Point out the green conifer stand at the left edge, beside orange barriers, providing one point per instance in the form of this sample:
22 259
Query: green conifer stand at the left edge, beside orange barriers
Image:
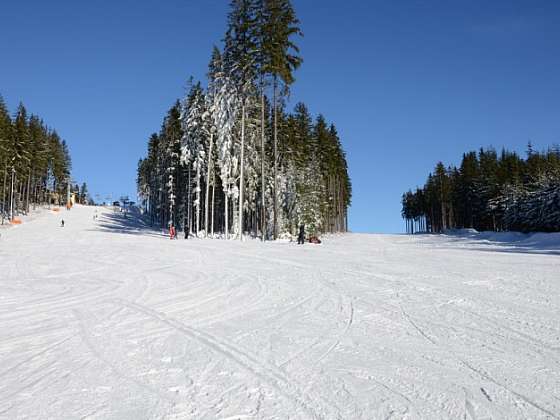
34 163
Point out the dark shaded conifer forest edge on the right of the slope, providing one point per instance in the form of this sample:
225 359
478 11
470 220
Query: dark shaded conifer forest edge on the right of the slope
489 192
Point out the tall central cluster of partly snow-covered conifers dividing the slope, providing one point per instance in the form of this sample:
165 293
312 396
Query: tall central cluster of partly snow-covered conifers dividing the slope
229 159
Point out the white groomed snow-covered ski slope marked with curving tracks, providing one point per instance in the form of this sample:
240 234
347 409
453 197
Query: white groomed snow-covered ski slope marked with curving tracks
107 319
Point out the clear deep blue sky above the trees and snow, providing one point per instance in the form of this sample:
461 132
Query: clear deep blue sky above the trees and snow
407 83
